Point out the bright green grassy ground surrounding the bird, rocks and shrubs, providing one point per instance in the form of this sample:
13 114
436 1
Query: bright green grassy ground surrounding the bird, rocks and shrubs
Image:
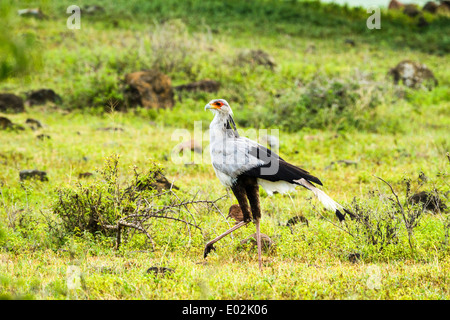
390 131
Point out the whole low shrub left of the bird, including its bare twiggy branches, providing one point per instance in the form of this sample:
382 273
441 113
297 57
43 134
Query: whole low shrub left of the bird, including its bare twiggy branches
137 211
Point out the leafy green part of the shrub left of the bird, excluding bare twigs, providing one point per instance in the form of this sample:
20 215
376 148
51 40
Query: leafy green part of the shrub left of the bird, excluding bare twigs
97 207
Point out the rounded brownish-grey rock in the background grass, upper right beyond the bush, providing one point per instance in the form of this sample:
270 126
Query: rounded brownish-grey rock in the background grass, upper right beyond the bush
413 75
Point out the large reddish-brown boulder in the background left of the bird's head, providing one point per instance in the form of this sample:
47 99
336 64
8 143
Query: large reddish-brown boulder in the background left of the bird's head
149 89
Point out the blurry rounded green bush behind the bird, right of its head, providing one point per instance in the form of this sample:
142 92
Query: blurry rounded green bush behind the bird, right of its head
334 104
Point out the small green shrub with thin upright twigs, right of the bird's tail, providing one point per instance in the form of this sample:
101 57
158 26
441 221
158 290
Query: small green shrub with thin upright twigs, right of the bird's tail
384 222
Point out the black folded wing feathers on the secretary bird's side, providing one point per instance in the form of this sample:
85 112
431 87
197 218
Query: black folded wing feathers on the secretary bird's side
286 171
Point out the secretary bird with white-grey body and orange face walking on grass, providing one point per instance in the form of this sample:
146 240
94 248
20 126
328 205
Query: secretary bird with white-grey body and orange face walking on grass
243 164
